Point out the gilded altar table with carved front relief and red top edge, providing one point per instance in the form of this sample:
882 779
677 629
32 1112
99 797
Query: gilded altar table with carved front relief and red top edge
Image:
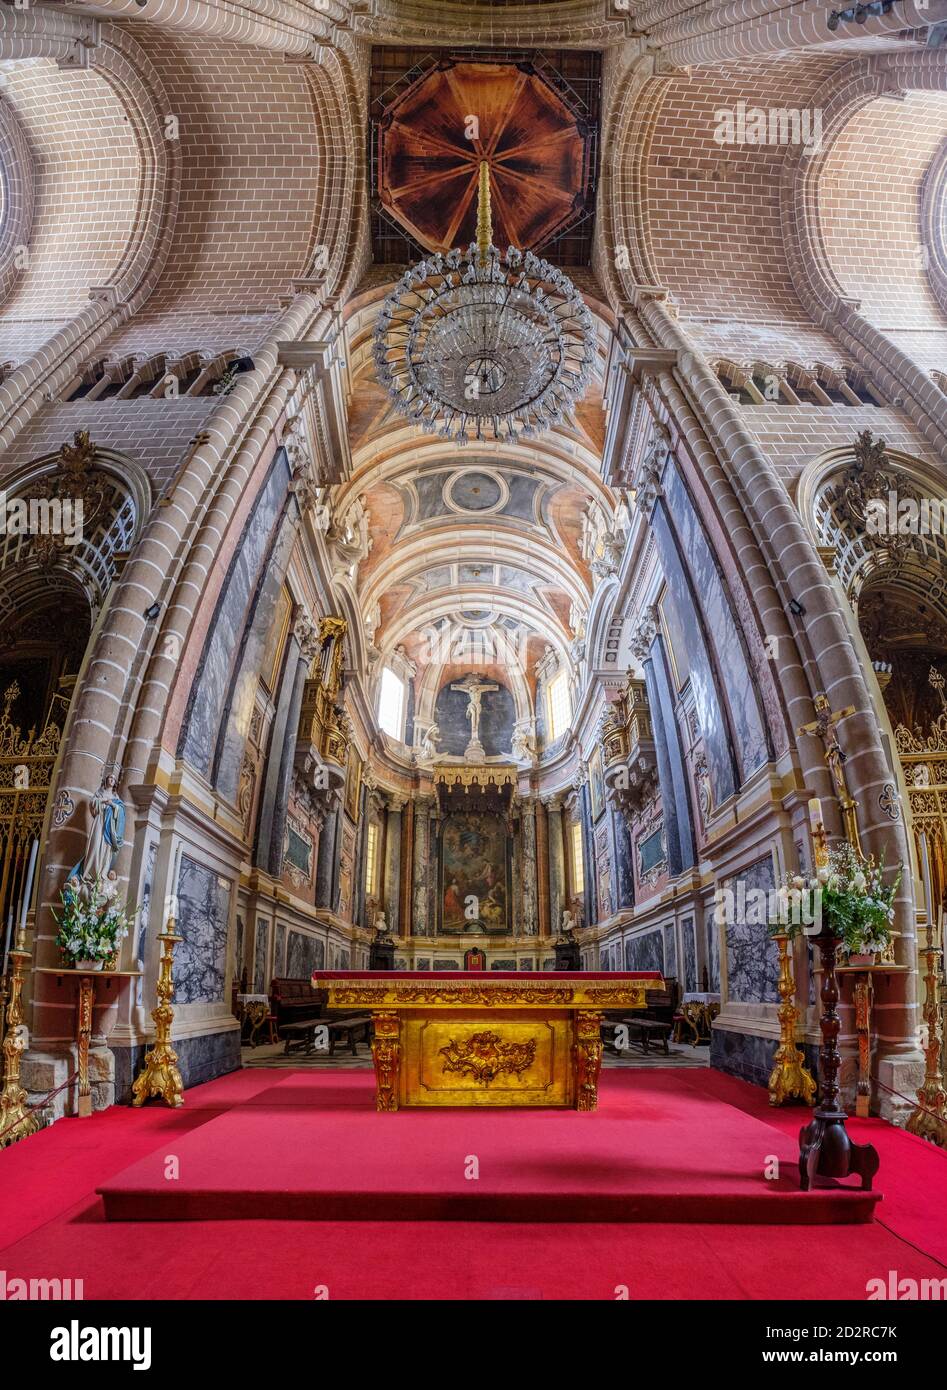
494 1039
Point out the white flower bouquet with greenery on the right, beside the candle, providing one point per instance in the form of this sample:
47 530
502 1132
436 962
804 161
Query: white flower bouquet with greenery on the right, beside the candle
848 897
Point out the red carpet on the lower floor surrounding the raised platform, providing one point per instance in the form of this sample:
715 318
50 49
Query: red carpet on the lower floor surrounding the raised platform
52 1225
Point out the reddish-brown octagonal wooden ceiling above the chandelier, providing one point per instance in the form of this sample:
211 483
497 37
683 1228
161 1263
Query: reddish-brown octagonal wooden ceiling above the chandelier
435 137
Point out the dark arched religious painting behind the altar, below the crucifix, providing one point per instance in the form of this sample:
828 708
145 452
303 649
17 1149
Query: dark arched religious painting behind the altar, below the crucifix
475 875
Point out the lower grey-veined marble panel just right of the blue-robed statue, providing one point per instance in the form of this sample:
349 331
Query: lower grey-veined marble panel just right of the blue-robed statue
204 918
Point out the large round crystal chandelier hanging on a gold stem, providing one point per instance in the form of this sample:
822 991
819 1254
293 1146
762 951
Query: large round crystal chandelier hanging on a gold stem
475 345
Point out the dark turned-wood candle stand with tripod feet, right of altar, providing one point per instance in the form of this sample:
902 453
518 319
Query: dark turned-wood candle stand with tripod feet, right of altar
825 1149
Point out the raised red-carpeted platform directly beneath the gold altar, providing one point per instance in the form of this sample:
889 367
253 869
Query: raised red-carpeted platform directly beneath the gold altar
311 1147
